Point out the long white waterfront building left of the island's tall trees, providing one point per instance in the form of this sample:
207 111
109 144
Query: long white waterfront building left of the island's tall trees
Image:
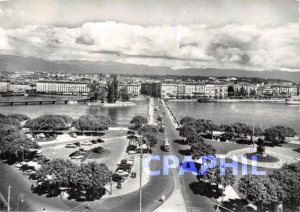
62 87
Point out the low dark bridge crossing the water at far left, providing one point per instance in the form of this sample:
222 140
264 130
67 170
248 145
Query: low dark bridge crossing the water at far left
39 102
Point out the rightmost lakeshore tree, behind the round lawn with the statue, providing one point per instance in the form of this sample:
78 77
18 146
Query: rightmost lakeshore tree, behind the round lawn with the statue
278 134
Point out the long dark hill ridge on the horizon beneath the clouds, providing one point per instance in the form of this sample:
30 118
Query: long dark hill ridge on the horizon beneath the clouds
16 63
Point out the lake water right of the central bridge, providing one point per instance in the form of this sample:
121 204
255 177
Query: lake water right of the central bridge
261 114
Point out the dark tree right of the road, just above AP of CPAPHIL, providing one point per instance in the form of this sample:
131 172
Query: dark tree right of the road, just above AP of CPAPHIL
202 149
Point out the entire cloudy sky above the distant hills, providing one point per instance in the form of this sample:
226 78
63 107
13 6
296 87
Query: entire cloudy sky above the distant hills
235 34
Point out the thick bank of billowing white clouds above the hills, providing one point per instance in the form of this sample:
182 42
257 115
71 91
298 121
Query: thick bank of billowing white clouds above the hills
191 46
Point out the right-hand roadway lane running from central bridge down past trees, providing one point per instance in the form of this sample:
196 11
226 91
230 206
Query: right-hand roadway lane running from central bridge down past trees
194 201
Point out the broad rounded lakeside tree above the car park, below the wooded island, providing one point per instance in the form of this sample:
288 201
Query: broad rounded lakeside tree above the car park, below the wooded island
91 123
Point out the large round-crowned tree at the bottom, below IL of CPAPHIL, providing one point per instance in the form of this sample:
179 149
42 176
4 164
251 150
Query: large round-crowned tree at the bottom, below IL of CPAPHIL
260 190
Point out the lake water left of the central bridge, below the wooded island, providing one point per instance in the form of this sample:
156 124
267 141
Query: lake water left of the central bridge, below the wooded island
118 115
